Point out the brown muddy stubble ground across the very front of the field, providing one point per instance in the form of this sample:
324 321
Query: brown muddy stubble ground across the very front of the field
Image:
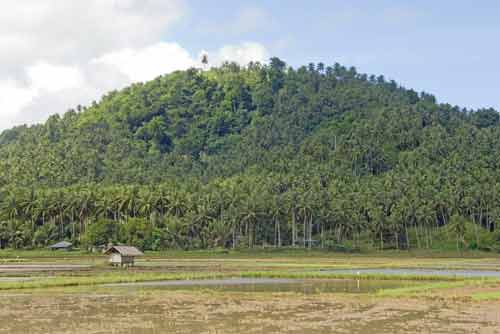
157 311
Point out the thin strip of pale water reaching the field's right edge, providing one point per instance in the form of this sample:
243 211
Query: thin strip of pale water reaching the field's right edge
418 272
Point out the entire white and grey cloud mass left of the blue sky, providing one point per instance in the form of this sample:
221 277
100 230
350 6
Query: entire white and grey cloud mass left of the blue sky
57 54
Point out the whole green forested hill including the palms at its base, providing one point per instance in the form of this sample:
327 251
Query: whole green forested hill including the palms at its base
256 155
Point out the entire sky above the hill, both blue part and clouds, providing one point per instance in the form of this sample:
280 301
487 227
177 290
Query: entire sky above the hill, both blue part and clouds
57 54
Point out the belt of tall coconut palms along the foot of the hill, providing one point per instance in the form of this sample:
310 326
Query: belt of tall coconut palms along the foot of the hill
422 210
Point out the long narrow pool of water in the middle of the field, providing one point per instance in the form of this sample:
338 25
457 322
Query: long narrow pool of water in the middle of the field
272 285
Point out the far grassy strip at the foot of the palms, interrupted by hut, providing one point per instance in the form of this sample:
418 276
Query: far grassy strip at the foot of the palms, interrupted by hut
259 260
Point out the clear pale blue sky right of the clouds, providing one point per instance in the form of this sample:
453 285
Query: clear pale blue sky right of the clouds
449 48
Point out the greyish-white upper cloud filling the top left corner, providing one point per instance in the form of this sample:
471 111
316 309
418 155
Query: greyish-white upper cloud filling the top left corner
58 31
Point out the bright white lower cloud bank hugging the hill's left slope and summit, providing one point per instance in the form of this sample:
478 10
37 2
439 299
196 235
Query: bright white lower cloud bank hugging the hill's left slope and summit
53 89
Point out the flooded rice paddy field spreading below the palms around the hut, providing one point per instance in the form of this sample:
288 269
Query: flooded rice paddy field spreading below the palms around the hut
264 291
